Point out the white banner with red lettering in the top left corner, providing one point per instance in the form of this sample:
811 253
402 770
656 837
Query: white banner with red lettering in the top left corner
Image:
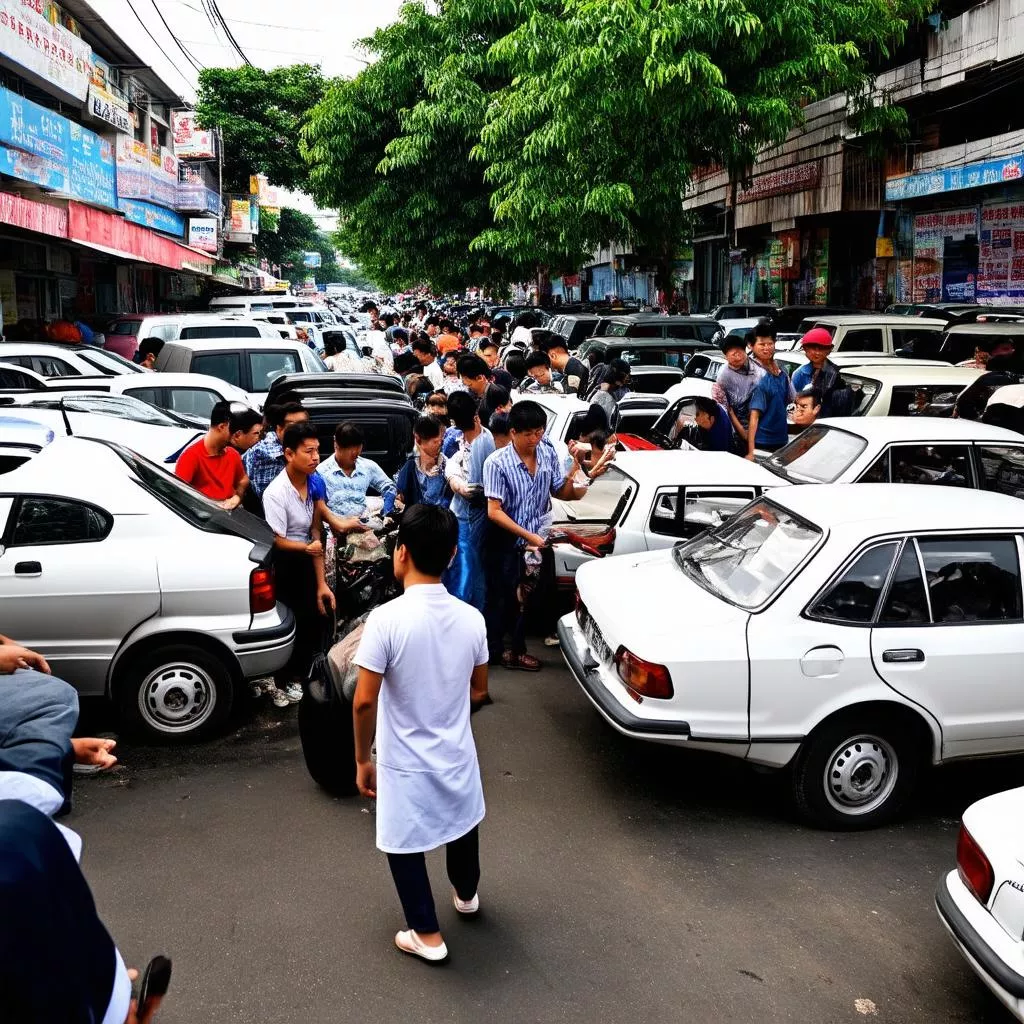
29 42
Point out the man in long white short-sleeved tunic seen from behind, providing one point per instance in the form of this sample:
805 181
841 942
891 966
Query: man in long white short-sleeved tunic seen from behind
423 669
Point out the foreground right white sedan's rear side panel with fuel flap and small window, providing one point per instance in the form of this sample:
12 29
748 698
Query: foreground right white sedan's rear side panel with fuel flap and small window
808 660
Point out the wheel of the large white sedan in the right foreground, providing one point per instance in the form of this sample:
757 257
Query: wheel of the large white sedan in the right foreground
857 772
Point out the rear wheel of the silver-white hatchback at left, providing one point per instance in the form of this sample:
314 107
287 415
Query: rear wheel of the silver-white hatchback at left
177 693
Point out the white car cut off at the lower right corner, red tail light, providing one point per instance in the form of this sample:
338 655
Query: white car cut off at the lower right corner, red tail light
982 904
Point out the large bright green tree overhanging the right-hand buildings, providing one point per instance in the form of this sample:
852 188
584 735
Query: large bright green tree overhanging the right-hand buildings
615 104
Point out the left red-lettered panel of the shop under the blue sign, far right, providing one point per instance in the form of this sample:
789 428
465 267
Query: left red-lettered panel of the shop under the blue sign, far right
946 255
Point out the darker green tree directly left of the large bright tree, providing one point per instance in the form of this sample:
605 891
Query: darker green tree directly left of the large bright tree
391 150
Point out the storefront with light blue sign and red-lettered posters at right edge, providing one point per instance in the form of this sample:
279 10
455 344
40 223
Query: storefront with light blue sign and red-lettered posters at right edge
959 234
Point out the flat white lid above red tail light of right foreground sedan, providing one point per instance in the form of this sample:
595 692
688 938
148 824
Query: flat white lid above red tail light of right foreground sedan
673 605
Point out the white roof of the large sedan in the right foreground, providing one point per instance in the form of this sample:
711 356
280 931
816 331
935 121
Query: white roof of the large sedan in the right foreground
879 508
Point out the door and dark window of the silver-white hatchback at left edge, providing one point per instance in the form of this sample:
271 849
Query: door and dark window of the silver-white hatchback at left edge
59 594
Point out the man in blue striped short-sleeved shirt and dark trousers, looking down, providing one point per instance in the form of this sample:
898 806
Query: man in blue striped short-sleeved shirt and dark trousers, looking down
520 482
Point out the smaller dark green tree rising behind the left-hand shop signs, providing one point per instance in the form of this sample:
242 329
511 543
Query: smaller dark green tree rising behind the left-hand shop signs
261 114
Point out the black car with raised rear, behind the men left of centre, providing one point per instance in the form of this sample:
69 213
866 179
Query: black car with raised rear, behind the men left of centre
377 404
